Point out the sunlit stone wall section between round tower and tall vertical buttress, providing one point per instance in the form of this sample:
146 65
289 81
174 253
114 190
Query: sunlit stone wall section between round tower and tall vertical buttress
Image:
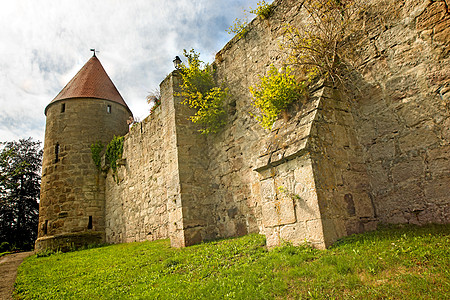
136 197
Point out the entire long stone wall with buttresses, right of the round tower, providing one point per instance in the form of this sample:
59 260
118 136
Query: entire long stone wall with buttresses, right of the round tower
337 165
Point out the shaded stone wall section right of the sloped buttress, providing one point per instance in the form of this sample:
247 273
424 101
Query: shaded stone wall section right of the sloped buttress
402 115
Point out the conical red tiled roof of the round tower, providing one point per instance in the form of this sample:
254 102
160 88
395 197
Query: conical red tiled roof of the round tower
91 82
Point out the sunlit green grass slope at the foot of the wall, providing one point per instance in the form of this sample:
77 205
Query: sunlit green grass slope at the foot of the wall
403 262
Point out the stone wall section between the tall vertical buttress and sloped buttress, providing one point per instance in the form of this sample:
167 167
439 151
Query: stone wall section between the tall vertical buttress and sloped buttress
234 152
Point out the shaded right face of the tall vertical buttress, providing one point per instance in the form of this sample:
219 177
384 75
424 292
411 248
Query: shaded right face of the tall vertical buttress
197 206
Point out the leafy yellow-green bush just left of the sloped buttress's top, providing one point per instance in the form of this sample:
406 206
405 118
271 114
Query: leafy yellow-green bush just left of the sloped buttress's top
276 92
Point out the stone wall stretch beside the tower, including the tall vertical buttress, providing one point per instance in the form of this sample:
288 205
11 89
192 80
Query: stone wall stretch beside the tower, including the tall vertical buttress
160 189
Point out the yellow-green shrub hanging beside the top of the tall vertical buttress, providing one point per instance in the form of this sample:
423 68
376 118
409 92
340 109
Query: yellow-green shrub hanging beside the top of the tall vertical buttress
201 93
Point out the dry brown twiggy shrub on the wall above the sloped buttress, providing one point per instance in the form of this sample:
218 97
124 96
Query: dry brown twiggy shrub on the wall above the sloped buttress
322 45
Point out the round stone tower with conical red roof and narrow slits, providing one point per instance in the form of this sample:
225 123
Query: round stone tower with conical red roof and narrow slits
88 109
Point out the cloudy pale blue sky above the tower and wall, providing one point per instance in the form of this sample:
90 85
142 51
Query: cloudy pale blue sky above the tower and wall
43 44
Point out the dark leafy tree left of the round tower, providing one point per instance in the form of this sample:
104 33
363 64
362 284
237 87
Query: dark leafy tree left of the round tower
20 166
